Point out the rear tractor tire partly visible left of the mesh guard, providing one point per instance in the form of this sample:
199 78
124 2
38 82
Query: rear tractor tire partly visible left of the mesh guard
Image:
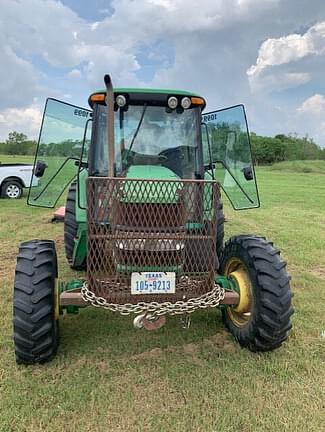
71 226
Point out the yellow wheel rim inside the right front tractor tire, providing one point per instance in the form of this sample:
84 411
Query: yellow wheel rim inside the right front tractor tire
241 314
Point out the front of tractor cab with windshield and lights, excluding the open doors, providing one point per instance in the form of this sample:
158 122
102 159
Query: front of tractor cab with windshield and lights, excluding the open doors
154 136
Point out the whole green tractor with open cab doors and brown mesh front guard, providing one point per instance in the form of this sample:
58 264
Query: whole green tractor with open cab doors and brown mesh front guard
144 219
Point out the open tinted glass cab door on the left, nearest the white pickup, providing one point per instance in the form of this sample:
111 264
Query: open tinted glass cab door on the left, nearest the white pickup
62 151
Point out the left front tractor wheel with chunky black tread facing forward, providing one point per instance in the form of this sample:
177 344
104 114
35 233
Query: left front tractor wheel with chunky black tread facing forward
36 303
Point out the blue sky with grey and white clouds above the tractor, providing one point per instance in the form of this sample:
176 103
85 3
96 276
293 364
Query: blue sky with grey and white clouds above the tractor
267 54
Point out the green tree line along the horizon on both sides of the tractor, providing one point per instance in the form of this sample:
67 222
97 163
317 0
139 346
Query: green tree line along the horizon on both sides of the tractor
266 150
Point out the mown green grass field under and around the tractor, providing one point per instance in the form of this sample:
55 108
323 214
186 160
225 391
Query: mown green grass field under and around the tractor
110 377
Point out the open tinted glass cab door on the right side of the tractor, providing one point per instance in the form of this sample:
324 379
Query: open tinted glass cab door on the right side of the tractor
228 157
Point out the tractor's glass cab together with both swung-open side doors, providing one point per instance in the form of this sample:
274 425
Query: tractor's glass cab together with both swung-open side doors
157 134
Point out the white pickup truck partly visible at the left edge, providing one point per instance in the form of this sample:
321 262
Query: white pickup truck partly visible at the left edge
13 178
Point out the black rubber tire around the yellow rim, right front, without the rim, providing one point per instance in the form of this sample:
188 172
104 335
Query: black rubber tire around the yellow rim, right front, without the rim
270 324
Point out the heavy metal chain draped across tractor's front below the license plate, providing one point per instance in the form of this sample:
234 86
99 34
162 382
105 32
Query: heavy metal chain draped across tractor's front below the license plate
209 299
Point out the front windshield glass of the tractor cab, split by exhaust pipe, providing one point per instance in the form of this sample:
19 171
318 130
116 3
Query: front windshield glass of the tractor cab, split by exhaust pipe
151 136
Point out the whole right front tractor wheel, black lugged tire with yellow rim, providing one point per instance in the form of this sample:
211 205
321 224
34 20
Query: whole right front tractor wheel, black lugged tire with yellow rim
261 320
